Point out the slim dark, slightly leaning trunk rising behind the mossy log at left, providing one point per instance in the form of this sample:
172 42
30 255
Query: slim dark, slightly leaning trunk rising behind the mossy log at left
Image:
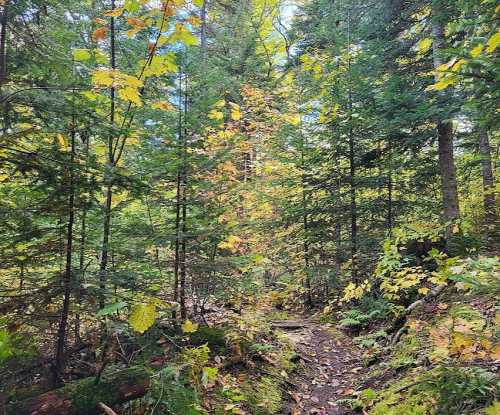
61 334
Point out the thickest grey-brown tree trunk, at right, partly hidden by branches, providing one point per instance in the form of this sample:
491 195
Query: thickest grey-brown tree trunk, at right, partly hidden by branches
449 190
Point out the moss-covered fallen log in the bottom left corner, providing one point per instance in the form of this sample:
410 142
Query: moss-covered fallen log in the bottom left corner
84 397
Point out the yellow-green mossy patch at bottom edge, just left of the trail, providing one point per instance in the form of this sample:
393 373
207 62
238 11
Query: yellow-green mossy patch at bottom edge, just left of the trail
263 396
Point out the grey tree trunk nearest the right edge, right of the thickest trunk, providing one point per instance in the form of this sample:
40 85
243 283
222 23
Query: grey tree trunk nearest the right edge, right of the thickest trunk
490 215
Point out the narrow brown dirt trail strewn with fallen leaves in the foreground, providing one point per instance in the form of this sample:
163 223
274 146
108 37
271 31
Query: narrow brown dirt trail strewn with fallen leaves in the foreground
330 368
